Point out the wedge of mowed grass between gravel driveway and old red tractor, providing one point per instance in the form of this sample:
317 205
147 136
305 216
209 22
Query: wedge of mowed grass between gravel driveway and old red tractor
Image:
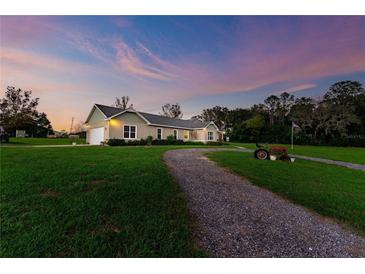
329 190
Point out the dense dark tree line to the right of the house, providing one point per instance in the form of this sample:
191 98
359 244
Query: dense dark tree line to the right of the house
337 119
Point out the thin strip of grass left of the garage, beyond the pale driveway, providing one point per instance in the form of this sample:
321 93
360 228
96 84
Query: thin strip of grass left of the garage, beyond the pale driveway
42 141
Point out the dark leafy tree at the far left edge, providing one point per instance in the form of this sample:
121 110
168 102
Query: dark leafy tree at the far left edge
17 109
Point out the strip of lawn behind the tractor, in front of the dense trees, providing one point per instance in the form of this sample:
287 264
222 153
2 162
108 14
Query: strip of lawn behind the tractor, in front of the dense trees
348 154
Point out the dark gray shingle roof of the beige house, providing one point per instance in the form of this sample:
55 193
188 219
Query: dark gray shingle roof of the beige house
157 119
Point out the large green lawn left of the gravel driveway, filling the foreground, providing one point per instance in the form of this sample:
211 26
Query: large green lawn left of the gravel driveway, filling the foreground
92 202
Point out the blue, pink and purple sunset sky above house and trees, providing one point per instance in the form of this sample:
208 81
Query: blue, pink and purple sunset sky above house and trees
72 62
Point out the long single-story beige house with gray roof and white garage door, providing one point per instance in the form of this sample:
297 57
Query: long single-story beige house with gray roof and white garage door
105 122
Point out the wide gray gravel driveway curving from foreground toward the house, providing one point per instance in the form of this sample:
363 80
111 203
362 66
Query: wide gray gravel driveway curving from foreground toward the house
237 219
